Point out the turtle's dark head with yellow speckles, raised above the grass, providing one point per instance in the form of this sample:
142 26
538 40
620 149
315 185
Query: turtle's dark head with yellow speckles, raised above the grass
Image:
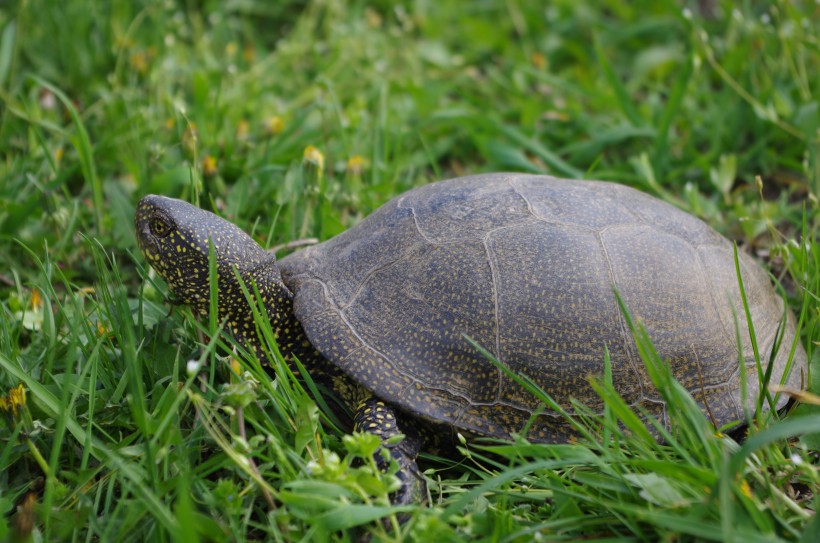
175 237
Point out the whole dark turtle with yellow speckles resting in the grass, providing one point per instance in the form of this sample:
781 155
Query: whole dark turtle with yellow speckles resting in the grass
388 313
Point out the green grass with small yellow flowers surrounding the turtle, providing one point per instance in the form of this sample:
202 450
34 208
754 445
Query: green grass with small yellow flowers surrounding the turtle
131 428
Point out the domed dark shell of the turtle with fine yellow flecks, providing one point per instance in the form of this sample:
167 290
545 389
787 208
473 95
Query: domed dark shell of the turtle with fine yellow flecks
527 266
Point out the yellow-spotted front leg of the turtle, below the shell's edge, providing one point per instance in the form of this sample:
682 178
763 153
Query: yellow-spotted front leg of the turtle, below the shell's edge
376 417
